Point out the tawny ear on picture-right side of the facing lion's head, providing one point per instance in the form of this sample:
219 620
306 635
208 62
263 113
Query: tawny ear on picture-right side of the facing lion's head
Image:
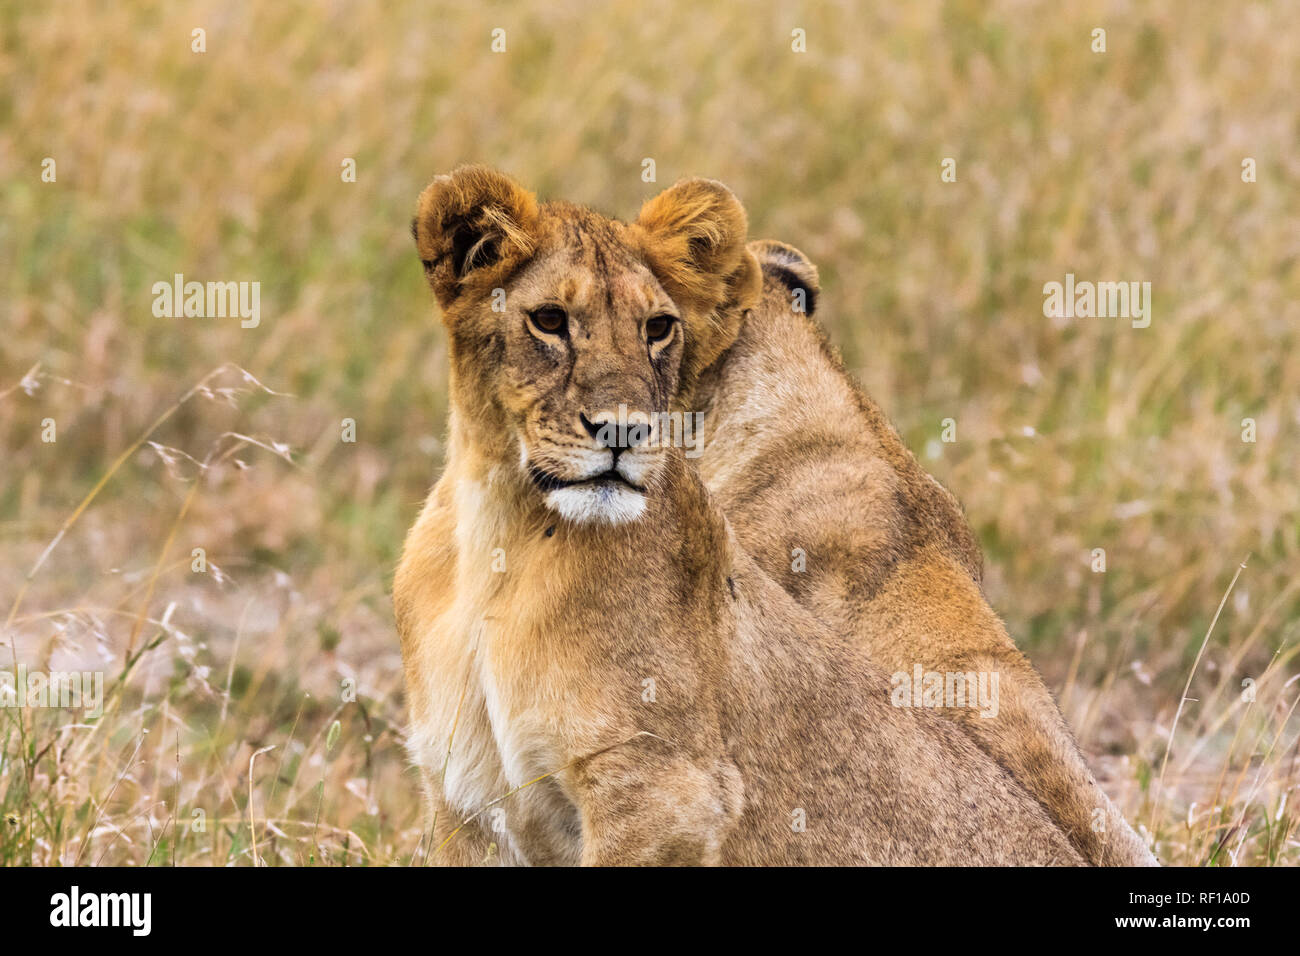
695 243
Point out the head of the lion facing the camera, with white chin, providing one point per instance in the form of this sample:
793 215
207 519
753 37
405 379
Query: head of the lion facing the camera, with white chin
574 335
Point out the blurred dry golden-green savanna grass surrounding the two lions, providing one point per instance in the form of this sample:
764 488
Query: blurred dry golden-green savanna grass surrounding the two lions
254 710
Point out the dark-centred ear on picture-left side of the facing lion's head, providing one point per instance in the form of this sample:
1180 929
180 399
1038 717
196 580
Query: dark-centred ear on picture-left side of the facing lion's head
473 228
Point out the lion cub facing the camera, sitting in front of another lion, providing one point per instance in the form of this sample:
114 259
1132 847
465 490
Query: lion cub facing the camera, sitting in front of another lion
597 672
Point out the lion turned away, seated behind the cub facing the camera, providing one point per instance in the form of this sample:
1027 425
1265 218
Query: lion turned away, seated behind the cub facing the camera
800 458
